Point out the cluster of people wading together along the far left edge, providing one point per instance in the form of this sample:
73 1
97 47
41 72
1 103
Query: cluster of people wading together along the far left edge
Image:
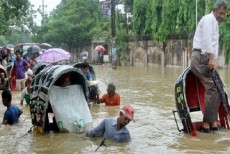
20 66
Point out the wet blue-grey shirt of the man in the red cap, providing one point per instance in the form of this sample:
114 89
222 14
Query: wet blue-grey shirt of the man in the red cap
107 129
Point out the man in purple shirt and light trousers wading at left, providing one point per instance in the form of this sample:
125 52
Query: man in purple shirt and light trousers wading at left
20 66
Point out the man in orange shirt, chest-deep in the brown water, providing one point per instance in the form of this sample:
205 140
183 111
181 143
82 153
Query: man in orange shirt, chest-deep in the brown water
111 98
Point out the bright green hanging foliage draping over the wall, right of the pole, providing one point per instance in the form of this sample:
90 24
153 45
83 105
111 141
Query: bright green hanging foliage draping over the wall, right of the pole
169 18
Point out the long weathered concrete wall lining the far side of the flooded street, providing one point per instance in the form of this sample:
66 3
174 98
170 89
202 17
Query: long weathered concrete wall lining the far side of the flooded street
148 53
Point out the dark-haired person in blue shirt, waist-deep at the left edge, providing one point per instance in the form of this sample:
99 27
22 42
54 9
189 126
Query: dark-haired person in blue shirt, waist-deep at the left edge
12 113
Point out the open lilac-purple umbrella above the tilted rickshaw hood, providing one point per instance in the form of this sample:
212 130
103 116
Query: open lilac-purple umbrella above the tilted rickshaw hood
53 55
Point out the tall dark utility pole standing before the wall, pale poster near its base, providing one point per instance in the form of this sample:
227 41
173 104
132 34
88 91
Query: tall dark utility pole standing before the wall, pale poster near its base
113 27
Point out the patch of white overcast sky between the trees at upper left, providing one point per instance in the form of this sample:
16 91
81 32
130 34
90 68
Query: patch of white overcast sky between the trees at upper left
49 6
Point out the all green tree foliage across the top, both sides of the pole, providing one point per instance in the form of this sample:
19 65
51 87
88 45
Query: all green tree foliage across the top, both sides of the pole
76 22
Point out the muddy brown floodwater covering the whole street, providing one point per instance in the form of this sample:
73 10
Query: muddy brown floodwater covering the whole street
151 92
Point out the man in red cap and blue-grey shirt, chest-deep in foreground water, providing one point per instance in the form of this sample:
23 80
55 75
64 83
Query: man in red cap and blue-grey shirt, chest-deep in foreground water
115 128
